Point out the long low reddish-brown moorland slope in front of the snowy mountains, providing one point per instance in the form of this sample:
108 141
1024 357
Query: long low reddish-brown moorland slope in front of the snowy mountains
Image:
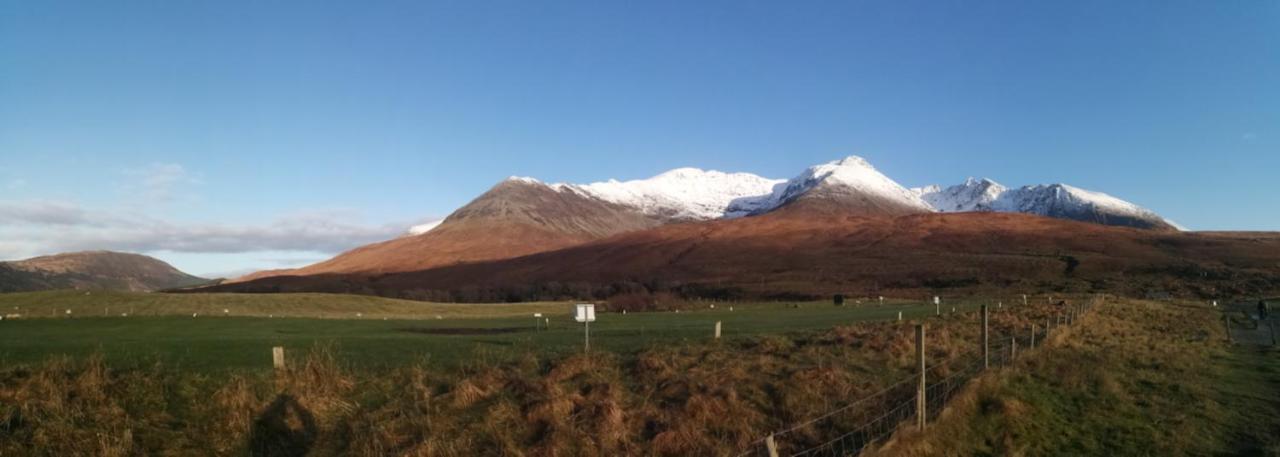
813 253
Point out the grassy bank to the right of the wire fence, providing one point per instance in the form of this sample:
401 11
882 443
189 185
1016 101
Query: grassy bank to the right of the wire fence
1137 380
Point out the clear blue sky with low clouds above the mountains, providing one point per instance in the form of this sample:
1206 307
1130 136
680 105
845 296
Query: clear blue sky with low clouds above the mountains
227 136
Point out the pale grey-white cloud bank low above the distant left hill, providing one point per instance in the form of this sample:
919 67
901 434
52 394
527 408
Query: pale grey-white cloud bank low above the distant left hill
139 223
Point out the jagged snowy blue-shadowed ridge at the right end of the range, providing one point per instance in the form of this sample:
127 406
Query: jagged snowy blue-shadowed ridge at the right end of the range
1060 202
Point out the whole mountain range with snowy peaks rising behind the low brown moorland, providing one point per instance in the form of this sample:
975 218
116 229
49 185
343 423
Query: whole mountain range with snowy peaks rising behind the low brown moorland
523 216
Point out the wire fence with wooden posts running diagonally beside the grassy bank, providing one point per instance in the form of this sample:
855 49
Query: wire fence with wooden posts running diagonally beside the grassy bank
849 429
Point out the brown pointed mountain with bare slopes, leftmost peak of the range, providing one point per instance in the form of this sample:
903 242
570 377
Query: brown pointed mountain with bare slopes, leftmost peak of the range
513 220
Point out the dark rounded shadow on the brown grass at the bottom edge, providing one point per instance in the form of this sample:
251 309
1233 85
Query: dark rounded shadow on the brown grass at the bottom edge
284 429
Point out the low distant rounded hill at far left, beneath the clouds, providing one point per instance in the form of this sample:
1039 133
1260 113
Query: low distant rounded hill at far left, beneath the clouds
93 271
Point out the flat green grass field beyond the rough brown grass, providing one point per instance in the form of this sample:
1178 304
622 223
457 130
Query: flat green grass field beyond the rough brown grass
388 332
